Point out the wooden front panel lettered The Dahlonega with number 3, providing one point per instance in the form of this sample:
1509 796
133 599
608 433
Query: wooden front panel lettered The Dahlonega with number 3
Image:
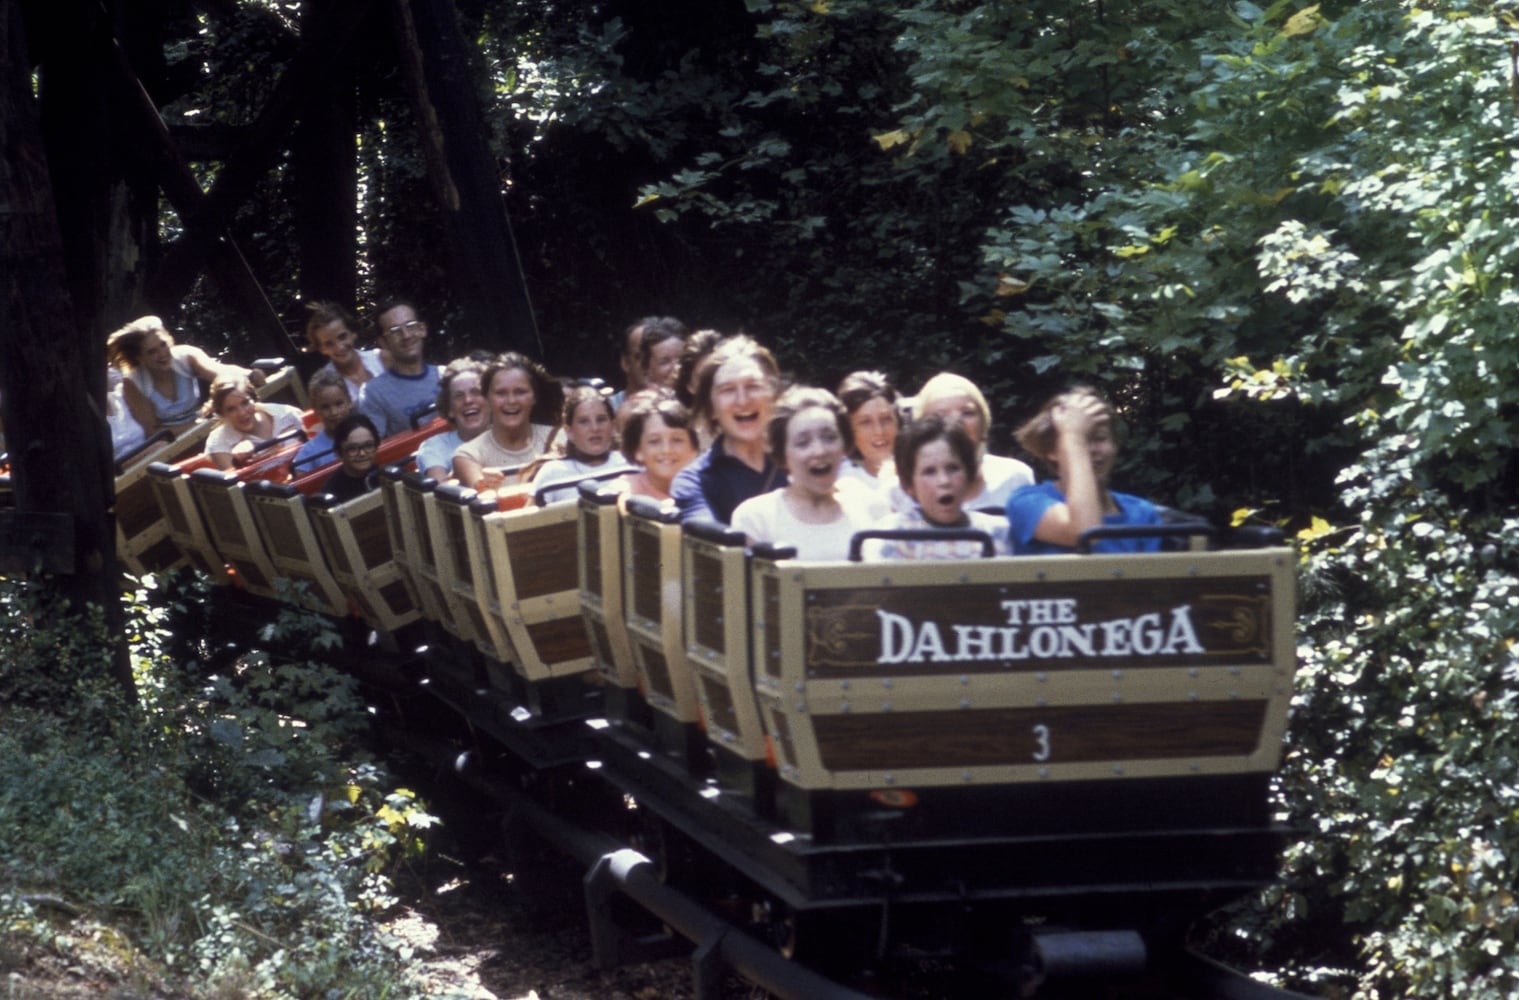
1025 671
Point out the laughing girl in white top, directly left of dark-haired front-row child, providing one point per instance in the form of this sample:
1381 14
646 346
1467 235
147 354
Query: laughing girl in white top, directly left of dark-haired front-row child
816 513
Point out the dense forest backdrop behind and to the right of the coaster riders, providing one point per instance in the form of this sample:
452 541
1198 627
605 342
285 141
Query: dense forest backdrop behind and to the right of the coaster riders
1281 236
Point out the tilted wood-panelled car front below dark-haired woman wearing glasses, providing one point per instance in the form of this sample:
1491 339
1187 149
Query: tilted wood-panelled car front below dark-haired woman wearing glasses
358 545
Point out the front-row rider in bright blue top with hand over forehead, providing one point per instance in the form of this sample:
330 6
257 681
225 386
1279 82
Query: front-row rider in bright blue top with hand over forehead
1075 434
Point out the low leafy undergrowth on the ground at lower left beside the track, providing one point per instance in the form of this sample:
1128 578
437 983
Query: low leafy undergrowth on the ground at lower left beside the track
235 818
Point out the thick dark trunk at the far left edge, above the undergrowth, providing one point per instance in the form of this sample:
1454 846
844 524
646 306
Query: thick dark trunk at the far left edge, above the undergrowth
54 375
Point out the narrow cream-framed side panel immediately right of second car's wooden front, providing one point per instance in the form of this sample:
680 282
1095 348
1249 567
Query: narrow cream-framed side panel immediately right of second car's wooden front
601 554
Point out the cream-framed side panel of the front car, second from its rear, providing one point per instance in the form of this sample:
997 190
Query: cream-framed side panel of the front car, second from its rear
652 580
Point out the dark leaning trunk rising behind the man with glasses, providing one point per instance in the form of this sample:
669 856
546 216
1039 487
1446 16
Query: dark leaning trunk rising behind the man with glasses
435 60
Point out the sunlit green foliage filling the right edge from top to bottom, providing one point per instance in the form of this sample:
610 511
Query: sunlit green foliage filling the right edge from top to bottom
1316 236
